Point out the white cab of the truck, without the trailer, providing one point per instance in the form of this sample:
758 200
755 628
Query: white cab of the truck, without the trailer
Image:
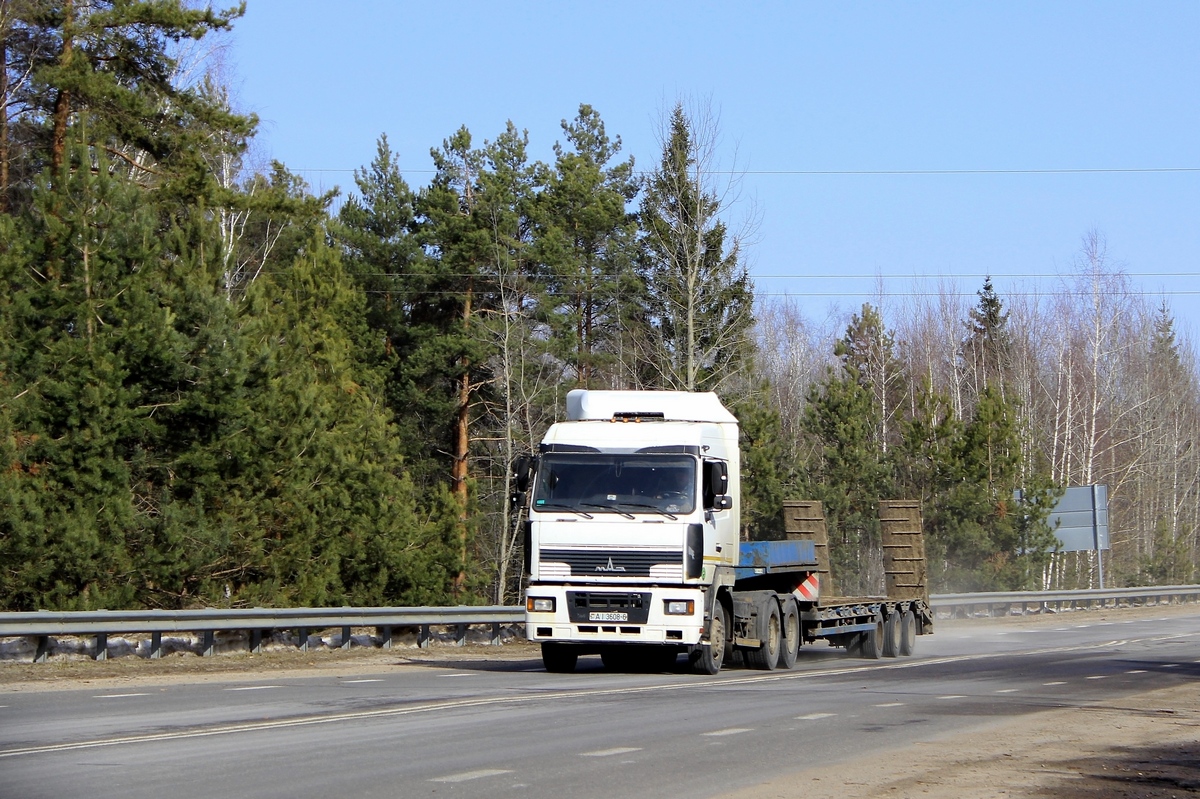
633 516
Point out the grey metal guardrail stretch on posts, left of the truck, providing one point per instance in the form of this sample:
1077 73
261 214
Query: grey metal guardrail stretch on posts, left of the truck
100 624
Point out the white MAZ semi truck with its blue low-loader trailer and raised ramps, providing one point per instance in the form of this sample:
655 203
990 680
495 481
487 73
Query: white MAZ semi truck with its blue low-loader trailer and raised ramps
633 548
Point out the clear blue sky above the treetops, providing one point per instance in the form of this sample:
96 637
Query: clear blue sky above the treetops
981 106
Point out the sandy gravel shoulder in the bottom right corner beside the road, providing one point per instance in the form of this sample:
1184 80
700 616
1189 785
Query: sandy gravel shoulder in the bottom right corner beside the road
1145 747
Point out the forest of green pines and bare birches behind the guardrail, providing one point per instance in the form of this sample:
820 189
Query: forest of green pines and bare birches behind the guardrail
221 389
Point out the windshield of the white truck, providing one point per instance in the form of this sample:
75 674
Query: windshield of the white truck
592 483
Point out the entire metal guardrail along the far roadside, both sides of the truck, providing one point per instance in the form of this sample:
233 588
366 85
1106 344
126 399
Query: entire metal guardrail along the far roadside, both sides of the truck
43 626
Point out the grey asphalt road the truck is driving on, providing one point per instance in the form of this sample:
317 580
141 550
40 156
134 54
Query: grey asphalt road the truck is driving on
509 729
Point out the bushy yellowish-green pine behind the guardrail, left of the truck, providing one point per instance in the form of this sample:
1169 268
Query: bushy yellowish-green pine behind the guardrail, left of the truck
335 519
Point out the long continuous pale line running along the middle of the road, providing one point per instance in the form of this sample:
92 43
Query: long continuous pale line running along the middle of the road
560 695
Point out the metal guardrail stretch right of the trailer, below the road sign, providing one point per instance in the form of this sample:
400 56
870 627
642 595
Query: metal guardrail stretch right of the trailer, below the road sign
1043 602
